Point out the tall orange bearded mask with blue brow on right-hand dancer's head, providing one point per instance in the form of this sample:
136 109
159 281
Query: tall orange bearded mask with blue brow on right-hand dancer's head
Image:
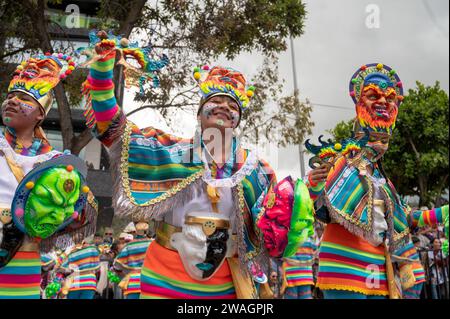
377 92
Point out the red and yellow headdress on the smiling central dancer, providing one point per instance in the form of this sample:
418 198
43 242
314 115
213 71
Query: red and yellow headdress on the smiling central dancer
223 81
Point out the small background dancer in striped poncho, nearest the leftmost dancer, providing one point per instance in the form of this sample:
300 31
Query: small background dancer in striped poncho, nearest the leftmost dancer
83 265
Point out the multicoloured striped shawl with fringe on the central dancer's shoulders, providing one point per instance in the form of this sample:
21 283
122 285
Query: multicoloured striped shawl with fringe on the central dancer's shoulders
154 172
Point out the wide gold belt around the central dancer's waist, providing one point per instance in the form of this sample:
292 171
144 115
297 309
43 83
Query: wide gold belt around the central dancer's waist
164 231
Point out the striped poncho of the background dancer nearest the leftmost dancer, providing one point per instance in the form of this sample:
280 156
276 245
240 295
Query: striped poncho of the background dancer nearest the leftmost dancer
86 261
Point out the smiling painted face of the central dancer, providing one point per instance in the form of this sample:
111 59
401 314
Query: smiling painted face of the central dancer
220 112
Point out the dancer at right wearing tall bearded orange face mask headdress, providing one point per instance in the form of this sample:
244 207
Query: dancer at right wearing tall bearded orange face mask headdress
366 251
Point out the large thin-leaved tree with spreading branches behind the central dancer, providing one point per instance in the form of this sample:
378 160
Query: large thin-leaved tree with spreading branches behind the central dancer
194 33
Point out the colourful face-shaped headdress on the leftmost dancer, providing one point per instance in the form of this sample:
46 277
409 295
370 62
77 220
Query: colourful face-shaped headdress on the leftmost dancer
39 75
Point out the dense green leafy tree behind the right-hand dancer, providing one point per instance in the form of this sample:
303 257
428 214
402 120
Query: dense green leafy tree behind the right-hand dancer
417 159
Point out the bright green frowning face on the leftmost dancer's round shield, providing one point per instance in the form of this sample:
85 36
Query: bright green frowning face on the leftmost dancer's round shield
51 202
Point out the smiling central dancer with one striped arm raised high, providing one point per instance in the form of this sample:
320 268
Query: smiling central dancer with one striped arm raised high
201 191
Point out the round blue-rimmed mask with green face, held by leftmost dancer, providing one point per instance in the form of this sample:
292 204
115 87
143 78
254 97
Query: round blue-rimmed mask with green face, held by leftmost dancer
51 197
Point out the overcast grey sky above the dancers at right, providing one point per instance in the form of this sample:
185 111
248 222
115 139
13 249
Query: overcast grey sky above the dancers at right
412 38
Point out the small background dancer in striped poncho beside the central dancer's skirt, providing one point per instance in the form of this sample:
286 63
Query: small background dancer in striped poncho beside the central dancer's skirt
129 262
